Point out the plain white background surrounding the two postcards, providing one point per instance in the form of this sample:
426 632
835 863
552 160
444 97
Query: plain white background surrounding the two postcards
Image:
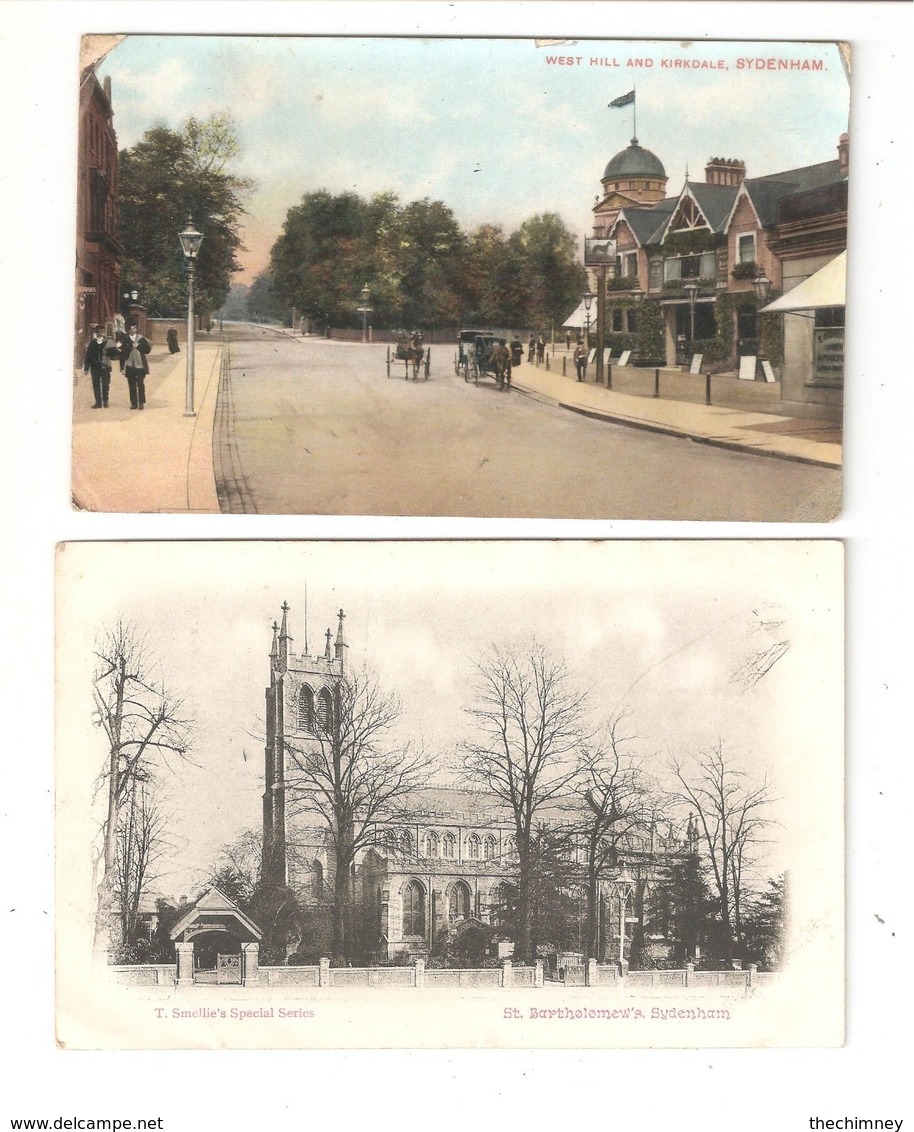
748 1091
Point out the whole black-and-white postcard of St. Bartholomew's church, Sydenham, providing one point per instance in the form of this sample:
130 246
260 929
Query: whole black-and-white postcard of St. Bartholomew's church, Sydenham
449 795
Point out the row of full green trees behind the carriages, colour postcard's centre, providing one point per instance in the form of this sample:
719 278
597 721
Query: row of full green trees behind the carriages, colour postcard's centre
422 268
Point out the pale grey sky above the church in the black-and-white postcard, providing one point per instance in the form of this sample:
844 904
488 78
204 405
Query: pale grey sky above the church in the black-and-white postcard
659 631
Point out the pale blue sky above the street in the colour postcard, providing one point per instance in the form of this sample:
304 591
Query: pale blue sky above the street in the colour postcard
491 127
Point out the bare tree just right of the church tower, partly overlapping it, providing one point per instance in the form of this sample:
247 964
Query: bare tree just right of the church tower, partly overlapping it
351 777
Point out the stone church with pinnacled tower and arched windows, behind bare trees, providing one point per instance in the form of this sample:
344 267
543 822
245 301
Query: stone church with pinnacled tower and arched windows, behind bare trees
437 876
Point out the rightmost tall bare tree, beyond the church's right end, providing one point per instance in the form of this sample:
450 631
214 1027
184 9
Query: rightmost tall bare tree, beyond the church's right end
730 814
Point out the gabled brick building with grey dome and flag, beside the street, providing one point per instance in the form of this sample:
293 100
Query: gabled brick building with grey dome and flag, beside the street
699 254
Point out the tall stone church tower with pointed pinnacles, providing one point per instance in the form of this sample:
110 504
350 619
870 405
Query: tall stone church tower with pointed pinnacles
302 705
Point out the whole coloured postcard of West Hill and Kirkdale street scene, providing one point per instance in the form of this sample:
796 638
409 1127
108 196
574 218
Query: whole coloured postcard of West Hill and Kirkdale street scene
506 279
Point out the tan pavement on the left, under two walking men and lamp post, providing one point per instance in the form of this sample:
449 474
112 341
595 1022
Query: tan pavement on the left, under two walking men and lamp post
152 461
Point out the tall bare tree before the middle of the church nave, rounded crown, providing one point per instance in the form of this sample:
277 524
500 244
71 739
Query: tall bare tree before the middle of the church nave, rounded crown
532 728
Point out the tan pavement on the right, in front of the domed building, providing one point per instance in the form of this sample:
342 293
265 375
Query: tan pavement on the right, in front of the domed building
748 421
